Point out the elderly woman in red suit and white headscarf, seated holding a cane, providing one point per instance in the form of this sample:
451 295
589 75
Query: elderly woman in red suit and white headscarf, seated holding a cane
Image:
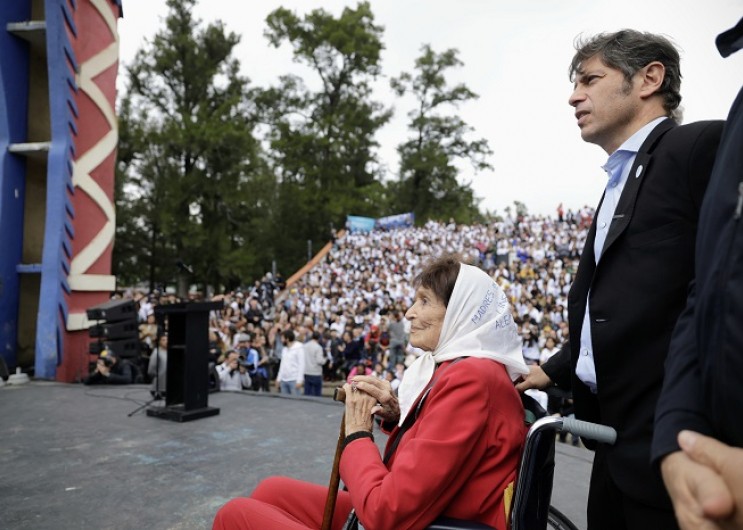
455 435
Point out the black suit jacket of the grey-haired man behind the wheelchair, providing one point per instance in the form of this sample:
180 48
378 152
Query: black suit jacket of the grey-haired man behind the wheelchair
637 291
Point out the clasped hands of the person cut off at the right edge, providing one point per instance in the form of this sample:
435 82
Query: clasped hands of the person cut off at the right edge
705 482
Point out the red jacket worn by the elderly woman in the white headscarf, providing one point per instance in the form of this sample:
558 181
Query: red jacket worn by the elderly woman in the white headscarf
458 459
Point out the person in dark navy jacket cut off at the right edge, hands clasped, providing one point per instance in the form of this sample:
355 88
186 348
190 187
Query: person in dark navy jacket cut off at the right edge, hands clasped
698 435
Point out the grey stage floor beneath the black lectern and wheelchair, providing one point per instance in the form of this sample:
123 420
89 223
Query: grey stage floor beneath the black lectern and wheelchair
71 457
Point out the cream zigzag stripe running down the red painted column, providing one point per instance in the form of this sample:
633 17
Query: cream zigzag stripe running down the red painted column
79 279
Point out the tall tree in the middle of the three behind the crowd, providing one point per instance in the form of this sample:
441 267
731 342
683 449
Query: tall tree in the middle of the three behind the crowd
322 141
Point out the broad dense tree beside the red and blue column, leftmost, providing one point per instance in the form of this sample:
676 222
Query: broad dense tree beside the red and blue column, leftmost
193 176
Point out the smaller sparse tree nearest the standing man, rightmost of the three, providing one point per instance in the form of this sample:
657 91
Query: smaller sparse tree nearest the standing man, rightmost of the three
428 183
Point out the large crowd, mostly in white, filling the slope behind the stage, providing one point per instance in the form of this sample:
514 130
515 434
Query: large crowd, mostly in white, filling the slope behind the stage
346 316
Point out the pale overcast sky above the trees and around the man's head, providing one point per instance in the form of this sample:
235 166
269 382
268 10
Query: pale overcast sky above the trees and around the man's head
515 55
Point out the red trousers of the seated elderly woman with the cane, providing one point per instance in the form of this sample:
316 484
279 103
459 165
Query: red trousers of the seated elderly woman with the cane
280 503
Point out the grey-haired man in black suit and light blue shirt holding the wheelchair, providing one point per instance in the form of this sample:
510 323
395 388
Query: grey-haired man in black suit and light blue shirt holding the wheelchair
635 268
